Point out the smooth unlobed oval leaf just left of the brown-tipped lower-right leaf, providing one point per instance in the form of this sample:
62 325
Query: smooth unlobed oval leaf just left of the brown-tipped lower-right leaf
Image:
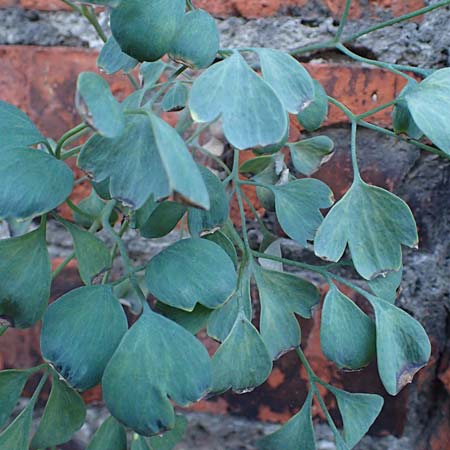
347 335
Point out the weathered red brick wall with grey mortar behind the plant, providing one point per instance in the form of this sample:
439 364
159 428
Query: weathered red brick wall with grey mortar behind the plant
41 80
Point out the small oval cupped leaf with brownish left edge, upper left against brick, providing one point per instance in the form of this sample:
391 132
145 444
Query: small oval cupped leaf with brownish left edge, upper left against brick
97 105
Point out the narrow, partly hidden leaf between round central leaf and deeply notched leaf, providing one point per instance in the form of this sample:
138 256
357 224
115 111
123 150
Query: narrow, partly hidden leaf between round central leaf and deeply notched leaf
222 319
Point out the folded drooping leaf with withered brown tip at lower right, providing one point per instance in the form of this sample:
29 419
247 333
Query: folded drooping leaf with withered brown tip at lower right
403 347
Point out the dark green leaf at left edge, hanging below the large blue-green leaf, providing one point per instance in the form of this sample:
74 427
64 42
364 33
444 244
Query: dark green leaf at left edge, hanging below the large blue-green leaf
25 278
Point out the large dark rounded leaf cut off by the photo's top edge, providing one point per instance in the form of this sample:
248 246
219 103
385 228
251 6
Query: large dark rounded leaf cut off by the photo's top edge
145 30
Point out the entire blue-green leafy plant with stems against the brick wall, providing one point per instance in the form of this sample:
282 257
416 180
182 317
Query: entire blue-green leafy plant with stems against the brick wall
145 175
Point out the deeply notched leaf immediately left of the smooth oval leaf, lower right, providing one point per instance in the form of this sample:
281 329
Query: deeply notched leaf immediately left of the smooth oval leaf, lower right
281 295
